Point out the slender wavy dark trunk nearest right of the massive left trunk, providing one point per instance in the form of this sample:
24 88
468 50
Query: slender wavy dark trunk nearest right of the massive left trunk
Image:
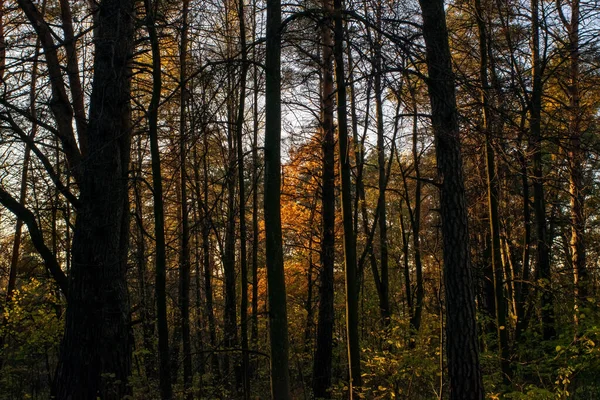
166 390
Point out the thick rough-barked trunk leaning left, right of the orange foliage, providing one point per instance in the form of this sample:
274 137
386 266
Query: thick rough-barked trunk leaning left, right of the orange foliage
461 329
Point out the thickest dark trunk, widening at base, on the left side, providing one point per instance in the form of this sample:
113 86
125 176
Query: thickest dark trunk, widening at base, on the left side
95 355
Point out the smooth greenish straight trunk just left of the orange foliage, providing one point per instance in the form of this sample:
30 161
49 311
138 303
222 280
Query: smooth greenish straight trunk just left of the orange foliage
280 378
